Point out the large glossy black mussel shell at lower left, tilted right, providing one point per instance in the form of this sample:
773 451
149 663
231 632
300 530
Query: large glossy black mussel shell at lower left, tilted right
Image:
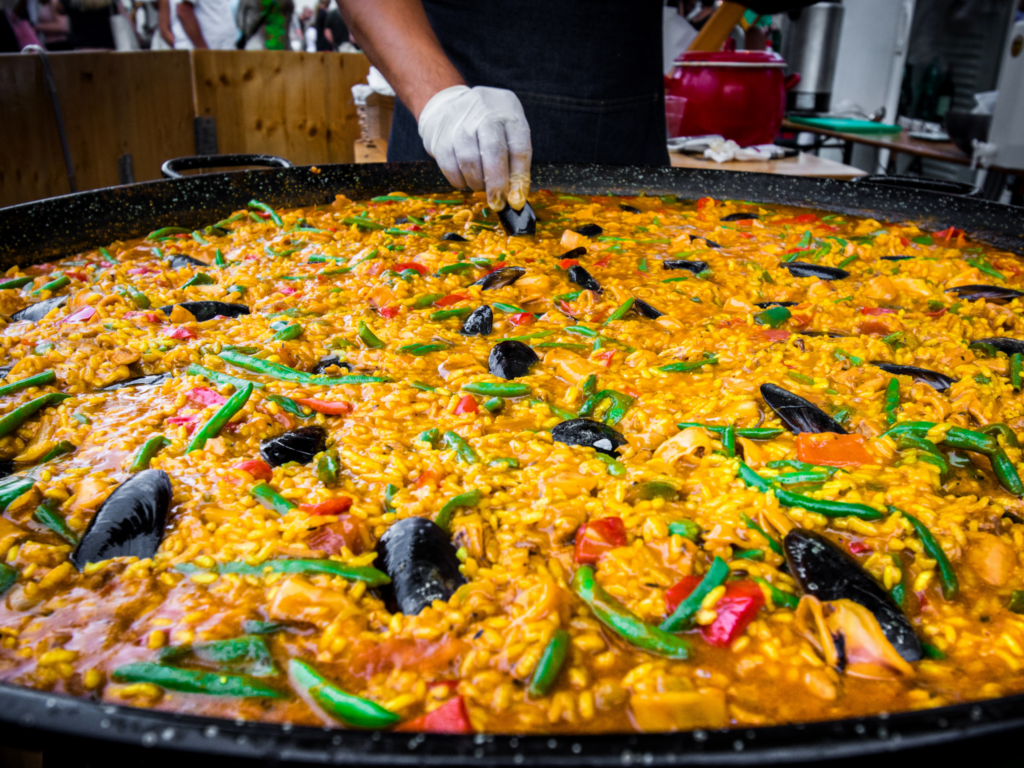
131 523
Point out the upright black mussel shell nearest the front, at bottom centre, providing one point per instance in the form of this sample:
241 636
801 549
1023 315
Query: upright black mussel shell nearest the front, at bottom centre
420 559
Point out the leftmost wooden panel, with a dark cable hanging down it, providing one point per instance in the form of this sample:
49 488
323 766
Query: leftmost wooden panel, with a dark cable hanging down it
113 104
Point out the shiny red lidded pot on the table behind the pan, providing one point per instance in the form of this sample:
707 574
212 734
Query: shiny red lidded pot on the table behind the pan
738 95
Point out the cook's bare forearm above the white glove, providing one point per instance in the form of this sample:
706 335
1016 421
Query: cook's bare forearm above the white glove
397 37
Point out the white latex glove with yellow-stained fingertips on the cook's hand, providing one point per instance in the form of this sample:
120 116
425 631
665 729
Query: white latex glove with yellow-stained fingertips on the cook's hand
481 140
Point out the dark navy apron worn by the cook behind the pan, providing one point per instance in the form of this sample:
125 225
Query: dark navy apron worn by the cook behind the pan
587 72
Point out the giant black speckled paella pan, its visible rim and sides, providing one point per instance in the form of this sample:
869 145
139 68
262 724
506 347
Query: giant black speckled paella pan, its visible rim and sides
59 227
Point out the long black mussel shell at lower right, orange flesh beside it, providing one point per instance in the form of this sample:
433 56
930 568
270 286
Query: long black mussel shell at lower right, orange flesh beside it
826 572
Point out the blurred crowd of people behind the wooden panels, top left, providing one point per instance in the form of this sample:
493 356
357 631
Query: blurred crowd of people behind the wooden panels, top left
160 25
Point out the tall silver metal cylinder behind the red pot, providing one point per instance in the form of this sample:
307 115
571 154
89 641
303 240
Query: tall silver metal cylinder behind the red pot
810 45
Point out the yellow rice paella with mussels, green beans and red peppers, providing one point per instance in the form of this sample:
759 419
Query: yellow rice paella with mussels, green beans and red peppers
637 464
